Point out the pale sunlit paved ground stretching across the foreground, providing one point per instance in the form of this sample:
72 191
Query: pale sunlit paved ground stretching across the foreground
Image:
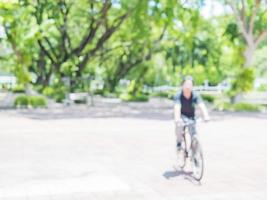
127 158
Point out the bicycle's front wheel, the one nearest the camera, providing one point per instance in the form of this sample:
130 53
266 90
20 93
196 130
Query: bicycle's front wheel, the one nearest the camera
197 160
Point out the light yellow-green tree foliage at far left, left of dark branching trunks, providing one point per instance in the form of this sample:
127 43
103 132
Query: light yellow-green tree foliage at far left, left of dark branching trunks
16 20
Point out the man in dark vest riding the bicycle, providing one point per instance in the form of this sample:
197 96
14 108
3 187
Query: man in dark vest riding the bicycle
186 101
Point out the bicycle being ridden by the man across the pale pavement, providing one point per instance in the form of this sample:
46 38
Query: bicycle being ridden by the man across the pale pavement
192 150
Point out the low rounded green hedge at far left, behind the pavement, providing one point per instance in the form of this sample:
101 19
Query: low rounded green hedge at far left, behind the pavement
30 101
